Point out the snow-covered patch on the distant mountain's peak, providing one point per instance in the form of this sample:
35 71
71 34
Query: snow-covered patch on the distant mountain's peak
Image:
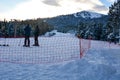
88 14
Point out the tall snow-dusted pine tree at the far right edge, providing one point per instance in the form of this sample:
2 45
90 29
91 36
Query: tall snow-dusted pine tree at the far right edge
114 18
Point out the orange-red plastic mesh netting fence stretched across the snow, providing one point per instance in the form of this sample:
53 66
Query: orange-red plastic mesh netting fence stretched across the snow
50 50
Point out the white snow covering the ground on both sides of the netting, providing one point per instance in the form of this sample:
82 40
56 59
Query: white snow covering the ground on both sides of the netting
101 62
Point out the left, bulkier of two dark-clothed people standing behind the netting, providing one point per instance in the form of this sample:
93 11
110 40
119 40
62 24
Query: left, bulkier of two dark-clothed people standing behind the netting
27 31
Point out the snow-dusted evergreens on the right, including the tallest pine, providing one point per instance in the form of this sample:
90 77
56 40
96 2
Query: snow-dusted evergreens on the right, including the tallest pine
109 30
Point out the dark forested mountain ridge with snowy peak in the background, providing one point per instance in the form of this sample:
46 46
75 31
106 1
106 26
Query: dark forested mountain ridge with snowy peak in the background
71 20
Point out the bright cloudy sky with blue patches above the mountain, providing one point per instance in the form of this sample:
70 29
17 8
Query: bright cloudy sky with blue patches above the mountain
31 9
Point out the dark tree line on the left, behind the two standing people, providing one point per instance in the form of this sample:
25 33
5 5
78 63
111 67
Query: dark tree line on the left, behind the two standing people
15 28
